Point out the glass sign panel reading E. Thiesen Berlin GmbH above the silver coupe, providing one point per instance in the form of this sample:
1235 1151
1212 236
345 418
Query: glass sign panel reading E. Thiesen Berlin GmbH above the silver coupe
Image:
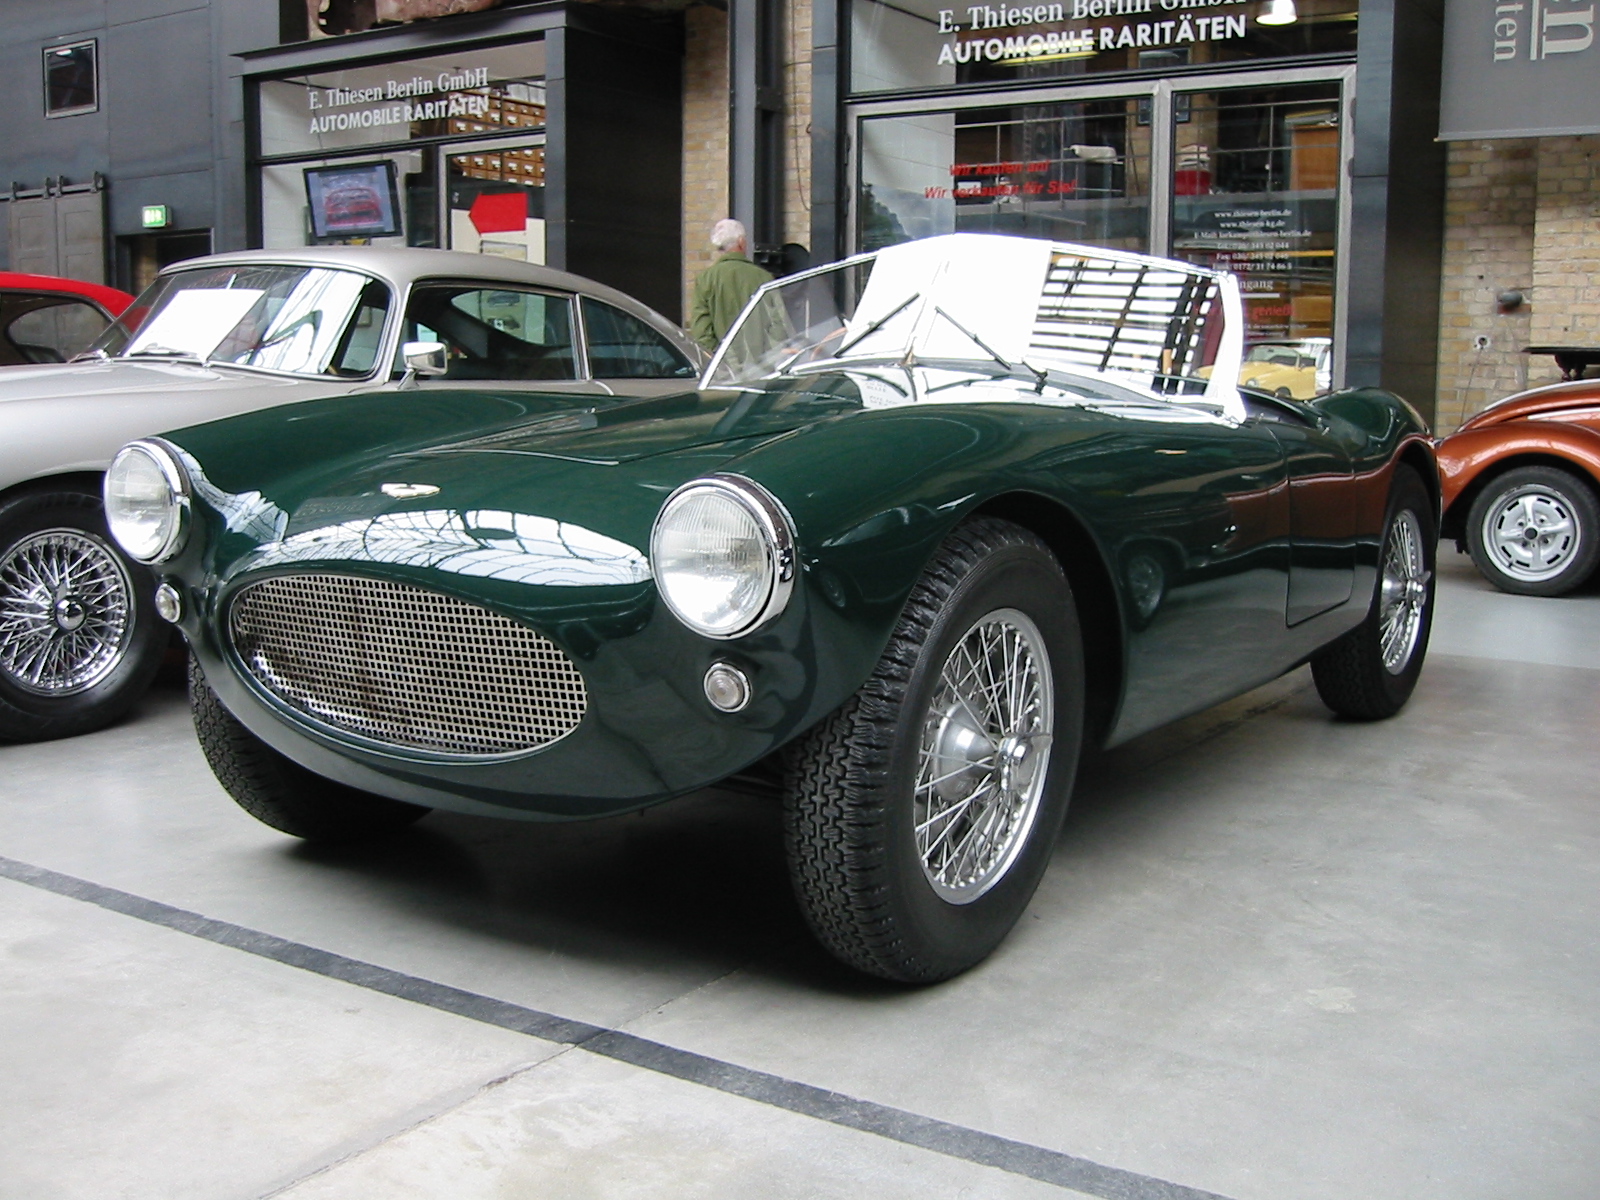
466 94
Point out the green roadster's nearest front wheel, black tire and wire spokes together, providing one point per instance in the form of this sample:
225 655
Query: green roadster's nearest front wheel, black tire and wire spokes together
922 815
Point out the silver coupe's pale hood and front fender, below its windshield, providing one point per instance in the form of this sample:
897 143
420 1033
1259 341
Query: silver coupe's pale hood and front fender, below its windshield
74 417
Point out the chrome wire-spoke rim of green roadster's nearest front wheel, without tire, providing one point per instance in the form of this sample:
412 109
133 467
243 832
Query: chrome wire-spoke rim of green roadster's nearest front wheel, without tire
983 756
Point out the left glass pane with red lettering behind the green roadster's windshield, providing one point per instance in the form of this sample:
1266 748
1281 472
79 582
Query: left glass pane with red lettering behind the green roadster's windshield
1073 172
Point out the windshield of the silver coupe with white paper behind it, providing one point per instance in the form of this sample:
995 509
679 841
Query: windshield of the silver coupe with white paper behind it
303 321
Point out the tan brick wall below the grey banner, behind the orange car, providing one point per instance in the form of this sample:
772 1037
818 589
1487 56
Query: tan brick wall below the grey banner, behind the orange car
1519 215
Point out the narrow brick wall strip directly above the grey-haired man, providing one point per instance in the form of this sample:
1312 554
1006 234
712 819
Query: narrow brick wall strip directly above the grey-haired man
705 137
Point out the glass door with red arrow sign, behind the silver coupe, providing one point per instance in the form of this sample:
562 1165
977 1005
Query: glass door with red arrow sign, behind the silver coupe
494 199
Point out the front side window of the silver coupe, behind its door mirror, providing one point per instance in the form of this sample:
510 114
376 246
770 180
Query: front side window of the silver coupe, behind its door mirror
500 334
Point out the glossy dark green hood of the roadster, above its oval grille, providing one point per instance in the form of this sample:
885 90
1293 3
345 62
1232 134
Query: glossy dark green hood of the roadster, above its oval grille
505 487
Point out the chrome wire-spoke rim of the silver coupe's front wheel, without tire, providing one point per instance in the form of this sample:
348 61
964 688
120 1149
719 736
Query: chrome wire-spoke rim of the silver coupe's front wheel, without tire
66 612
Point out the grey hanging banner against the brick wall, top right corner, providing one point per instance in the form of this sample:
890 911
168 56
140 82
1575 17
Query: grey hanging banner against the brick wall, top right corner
1521 70
